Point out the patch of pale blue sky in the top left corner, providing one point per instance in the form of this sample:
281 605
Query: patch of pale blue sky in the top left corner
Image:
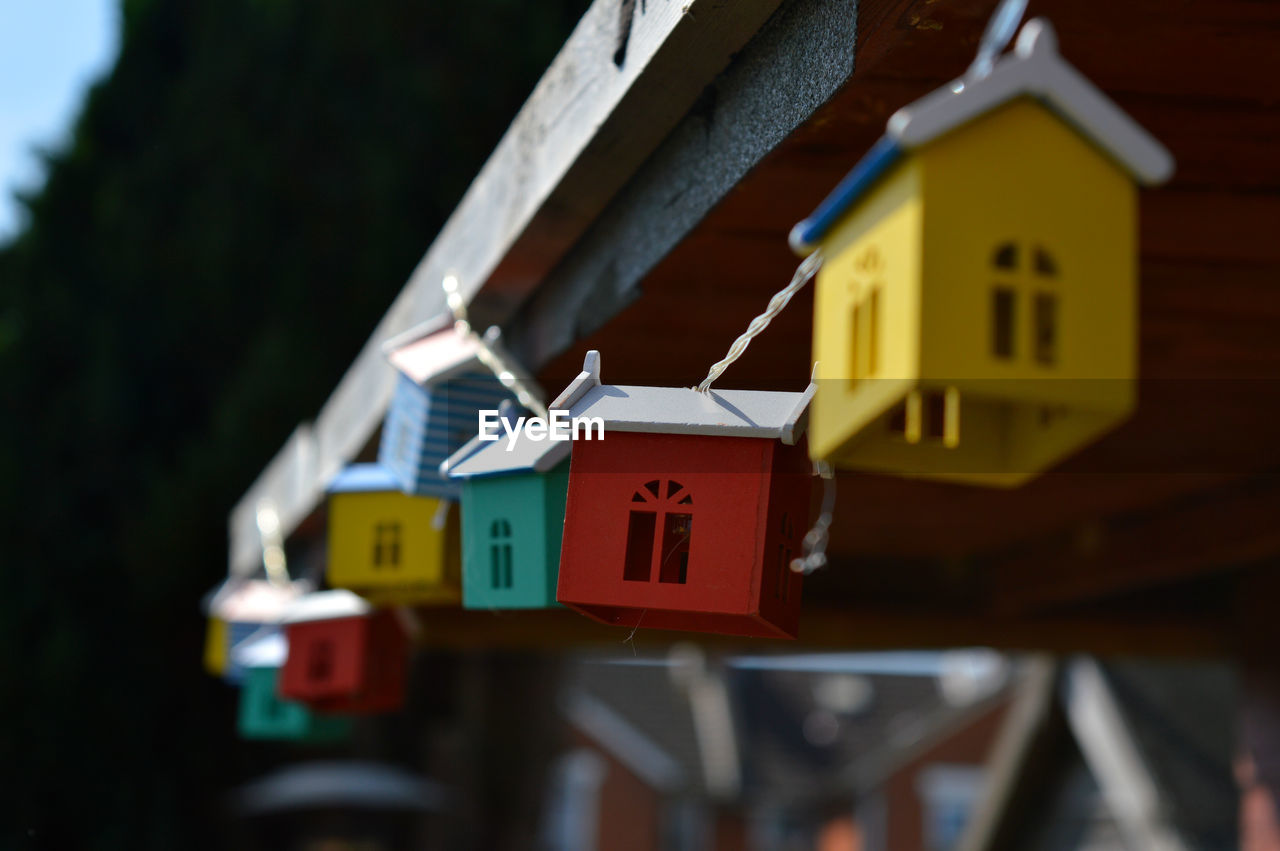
51 53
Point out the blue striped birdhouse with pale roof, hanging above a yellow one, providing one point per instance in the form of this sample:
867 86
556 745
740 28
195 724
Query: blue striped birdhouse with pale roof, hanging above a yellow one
444 385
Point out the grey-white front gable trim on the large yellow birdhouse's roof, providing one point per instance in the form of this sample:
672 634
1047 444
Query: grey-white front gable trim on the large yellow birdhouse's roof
1036 68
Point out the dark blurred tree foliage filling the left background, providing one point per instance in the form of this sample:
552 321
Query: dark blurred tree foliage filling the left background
244 196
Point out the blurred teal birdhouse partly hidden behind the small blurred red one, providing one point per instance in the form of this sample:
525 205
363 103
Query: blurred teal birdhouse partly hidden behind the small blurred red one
263 713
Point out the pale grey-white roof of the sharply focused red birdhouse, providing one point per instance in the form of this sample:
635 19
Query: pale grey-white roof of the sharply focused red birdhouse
669 410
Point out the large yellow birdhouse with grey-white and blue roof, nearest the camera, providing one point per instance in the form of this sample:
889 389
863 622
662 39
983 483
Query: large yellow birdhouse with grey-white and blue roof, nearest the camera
977 308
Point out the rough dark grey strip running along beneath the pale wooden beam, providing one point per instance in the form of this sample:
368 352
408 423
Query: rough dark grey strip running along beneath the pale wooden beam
798 62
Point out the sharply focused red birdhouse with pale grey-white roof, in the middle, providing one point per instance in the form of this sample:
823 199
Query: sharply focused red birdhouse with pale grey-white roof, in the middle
687 515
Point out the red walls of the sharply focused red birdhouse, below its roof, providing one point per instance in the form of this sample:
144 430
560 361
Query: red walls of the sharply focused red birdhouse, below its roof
740 488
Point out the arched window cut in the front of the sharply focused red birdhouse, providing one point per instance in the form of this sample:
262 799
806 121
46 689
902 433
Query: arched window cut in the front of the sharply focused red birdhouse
660 533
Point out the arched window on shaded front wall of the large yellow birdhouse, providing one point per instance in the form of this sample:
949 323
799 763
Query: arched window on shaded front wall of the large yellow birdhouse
1031 278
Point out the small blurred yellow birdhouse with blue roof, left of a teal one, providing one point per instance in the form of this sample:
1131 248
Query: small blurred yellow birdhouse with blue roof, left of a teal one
388 547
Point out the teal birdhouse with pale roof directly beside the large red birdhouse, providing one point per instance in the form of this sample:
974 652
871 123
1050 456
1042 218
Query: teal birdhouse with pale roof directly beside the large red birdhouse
513 518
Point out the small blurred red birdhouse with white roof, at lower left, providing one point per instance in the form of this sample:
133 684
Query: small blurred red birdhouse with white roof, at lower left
345 656
